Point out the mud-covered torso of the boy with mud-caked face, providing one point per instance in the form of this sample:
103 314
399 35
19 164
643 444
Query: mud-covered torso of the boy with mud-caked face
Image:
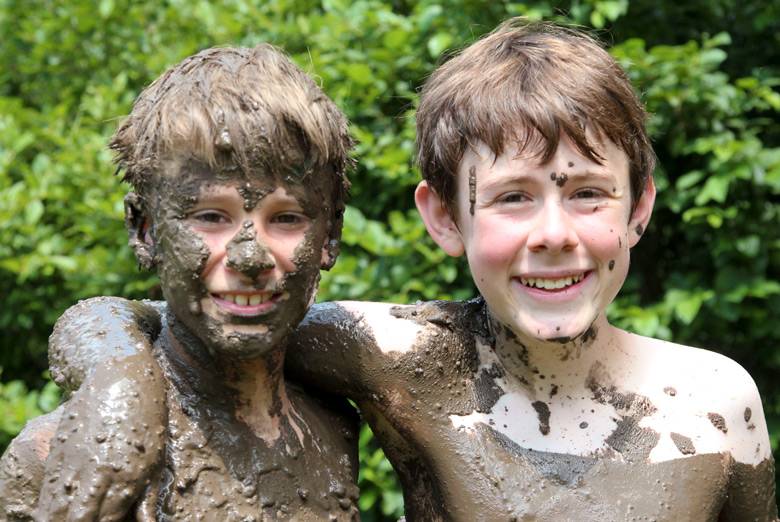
217 469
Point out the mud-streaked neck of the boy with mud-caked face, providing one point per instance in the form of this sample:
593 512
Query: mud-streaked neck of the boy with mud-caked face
257 386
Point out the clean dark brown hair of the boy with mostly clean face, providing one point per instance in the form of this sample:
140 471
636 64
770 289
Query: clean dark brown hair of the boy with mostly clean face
530 83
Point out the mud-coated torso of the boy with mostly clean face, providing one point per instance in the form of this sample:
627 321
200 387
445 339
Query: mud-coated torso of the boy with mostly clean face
460 471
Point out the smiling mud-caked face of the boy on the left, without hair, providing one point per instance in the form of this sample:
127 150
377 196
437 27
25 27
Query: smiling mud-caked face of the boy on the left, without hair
239 254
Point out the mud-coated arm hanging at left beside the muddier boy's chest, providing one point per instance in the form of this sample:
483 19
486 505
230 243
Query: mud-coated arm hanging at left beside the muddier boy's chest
110 443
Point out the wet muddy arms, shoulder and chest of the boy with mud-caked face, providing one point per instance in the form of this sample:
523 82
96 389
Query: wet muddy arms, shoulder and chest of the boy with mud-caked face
181 451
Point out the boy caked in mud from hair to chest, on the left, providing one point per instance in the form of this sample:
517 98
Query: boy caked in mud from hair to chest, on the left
238 164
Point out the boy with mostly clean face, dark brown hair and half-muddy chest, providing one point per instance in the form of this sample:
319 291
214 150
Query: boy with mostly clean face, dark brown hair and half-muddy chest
525 403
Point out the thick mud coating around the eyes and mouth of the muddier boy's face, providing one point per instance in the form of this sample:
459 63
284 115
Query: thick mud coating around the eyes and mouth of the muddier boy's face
184 256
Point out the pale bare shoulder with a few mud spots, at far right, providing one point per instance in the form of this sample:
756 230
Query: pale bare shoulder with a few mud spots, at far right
704 401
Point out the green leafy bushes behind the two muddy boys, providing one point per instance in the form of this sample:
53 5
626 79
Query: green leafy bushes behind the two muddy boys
705 274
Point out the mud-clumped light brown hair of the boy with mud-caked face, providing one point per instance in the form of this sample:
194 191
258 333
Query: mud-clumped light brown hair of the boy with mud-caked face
234 106
